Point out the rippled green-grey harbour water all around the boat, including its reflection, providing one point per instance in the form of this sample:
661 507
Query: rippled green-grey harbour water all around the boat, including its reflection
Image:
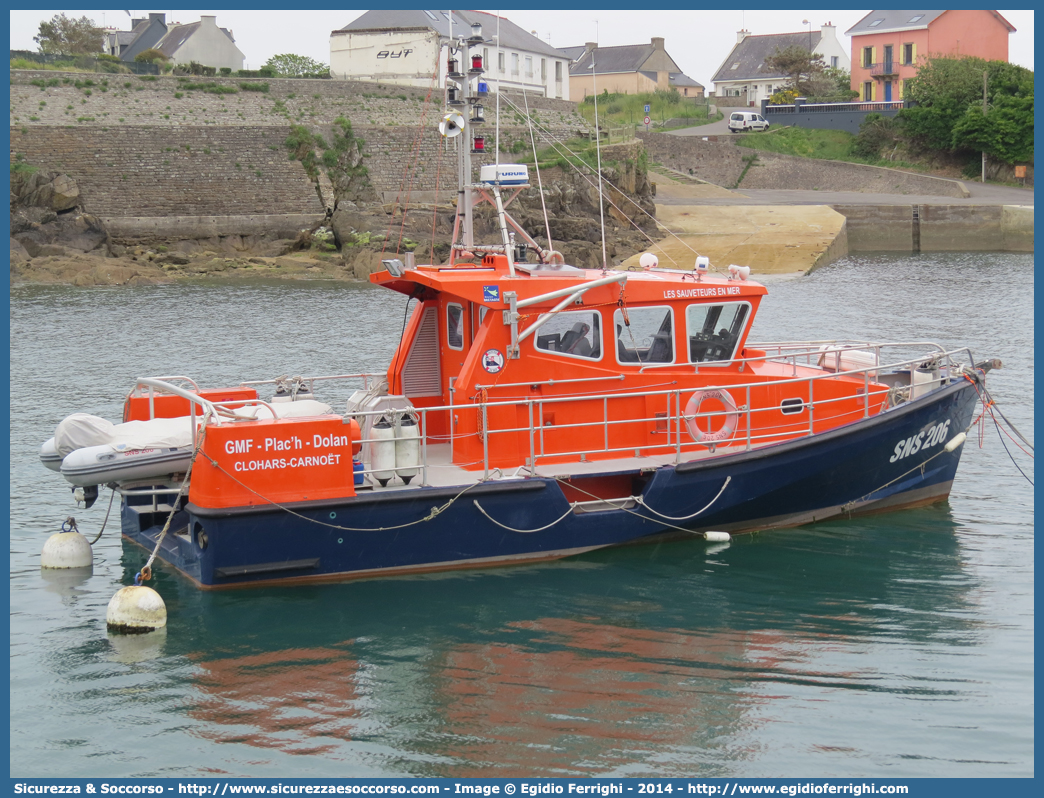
897 646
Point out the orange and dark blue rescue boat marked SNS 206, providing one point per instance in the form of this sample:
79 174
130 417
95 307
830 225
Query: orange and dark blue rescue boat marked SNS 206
536 411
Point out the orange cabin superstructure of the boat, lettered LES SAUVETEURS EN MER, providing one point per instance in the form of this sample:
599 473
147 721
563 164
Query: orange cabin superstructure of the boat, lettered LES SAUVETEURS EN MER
612 367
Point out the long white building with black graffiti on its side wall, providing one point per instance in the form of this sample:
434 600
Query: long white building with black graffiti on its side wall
410 48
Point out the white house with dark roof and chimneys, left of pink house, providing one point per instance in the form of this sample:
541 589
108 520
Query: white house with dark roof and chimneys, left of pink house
742 80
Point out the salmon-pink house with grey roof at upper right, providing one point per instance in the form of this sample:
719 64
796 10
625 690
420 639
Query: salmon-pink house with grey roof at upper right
889 46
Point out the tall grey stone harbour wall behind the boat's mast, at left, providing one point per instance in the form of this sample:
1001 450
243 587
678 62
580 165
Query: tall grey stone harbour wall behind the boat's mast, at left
148 148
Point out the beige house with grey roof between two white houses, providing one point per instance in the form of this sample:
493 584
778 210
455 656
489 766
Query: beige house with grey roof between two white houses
627 69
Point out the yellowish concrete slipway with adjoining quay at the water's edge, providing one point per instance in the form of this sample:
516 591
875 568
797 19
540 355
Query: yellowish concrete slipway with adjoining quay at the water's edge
788 231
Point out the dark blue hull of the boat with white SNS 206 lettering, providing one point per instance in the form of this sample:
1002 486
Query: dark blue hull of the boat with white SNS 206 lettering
897 459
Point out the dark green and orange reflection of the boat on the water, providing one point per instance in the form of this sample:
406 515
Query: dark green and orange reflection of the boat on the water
650 661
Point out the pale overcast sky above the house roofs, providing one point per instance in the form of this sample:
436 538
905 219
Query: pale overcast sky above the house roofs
698 41
